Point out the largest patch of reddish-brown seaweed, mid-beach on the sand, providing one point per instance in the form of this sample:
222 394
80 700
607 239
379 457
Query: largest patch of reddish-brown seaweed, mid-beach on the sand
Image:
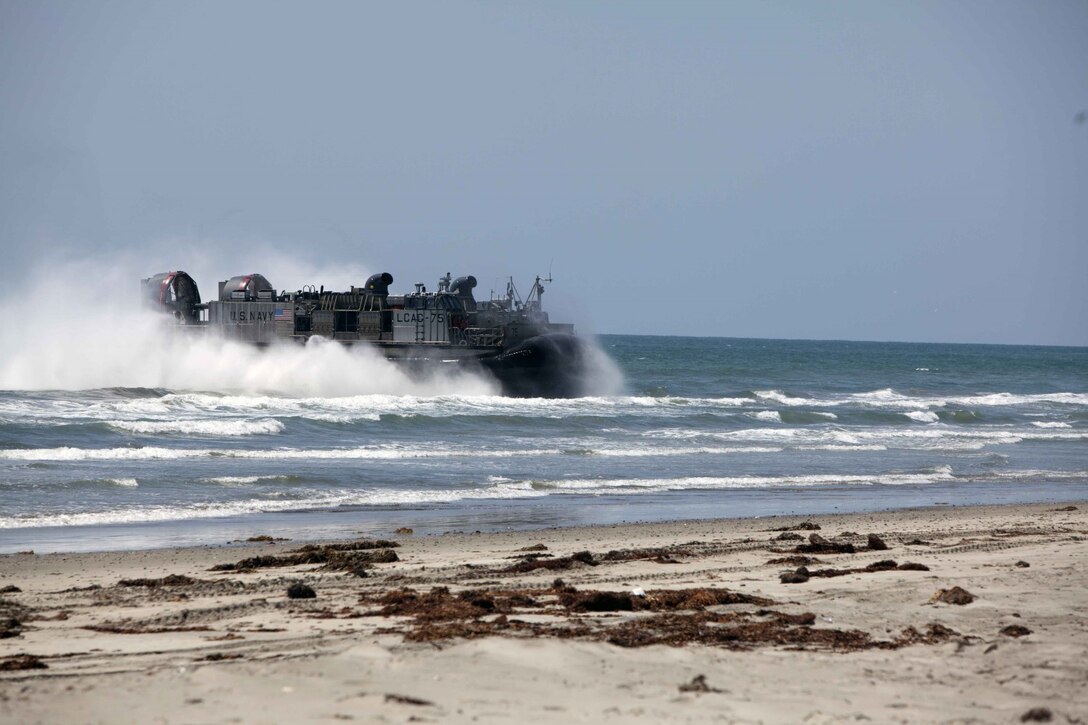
674 618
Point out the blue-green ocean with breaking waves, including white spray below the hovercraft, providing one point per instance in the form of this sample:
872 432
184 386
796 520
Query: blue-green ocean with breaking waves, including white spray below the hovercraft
325 444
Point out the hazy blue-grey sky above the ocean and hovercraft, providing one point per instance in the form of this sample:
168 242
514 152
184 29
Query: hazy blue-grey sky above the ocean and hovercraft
840 170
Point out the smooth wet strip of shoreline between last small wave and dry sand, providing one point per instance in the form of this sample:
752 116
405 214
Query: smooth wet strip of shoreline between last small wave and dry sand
528 515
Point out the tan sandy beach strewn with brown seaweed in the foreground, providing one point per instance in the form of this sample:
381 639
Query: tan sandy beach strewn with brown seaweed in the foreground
463 628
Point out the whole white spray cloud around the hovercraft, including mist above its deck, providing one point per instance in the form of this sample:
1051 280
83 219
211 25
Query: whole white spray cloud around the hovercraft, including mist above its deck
79 325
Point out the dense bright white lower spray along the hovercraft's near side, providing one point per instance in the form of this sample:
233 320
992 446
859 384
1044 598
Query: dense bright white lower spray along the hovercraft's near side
126 349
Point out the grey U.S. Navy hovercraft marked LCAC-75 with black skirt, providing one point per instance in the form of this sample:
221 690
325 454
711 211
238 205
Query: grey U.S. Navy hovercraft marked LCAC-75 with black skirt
512 340
